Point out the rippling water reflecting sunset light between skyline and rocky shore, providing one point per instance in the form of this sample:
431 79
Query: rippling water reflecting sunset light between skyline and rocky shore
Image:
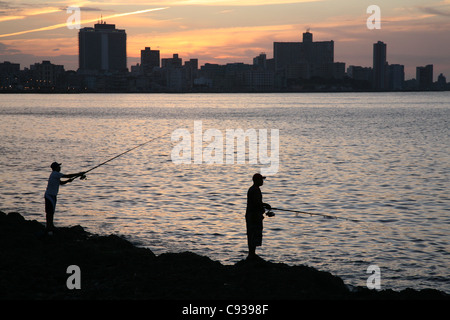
381 158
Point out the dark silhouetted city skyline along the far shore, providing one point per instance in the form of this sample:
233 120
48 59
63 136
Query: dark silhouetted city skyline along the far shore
296 66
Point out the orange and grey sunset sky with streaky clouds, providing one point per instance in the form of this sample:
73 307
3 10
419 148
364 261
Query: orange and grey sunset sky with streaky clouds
417 32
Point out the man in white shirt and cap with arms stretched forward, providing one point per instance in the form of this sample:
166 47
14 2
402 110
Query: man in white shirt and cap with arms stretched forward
54 181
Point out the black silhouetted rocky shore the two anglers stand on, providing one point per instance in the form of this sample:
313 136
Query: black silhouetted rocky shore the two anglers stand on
33 266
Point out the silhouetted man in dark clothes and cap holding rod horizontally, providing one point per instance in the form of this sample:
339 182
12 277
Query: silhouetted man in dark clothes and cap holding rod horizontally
254 215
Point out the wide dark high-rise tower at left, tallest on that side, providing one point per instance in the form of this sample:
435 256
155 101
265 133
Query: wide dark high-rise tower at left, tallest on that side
102 49
